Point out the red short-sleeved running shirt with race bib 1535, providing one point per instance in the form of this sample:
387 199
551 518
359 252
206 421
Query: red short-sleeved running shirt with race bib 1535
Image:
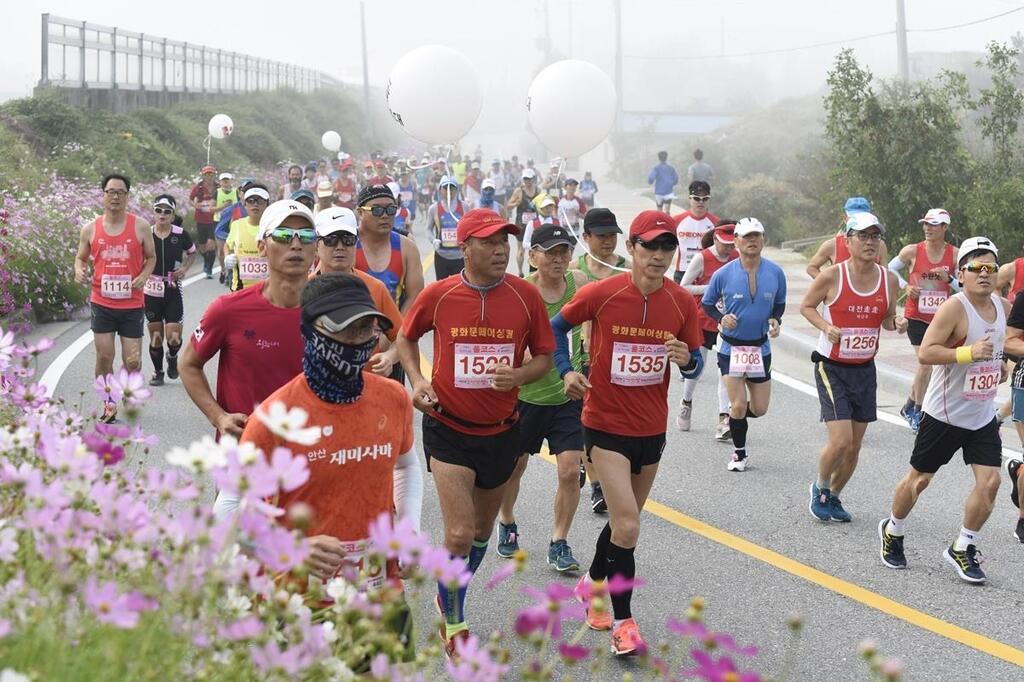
630 372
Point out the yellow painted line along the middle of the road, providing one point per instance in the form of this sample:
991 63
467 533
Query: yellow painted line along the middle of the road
850 590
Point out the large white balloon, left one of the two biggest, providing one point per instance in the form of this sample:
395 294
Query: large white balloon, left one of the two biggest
435 95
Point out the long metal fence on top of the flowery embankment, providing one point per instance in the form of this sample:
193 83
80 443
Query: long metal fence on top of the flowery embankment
81 55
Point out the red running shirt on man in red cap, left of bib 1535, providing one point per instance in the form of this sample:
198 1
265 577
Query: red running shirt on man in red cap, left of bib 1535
472 332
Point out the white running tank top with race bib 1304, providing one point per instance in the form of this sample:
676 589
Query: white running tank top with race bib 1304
964 396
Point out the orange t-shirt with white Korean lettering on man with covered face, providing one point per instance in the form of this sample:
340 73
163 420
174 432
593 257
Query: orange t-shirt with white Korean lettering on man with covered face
352 467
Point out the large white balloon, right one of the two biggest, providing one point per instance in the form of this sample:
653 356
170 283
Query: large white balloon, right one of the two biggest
572 107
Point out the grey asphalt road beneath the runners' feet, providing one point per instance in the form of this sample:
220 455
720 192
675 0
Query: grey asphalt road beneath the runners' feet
745 542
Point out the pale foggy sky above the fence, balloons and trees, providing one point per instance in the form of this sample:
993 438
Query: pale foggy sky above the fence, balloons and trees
661 40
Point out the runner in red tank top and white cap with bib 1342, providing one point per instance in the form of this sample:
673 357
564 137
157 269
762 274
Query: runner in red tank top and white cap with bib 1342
931 280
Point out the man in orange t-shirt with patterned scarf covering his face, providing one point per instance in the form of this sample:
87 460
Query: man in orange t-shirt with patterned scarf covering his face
346 494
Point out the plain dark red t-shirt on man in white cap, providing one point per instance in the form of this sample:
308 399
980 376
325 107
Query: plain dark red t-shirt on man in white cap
261 347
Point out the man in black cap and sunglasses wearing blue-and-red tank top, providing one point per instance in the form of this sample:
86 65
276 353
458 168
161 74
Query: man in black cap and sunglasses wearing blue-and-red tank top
385 253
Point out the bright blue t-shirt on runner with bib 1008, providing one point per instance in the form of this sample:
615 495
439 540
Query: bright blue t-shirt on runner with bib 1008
730 285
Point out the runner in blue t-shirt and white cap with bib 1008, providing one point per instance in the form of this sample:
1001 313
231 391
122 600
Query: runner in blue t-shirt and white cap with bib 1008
752 291
